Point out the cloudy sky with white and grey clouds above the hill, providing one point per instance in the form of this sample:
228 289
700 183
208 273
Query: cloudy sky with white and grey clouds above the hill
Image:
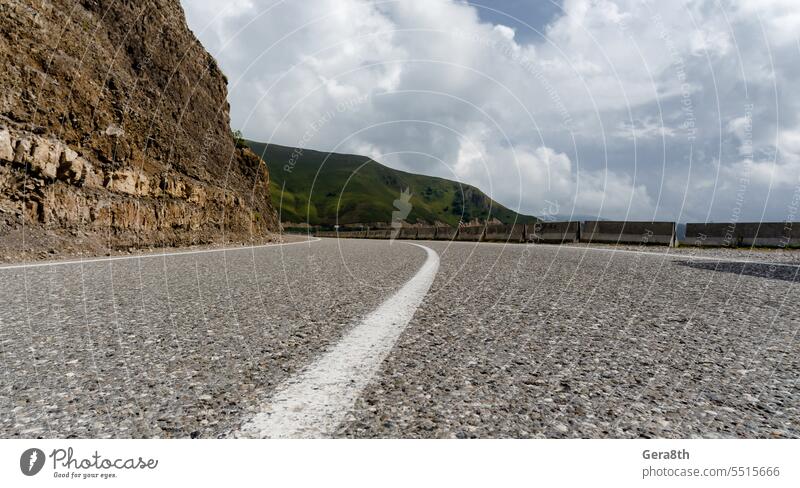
684 110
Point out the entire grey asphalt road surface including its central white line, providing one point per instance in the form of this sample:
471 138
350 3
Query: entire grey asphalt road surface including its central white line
494 341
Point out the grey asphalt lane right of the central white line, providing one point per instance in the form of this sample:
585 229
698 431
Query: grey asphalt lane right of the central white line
546 341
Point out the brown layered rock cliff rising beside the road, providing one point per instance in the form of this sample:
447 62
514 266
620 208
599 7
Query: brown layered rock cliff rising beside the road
114 133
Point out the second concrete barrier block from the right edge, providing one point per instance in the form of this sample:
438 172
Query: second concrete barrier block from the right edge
643 233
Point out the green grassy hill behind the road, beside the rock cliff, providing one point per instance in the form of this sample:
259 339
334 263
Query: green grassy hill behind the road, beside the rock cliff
321 186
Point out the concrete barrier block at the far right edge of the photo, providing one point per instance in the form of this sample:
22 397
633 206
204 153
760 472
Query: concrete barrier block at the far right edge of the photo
744 234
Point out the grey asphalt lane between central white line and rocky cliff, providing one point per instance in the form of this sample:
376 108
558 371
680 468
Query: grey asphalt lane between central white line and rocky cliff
177 346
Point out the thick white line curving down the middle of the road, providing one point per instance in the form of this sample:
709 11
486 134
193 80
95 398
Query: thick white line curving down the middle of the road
315 401
